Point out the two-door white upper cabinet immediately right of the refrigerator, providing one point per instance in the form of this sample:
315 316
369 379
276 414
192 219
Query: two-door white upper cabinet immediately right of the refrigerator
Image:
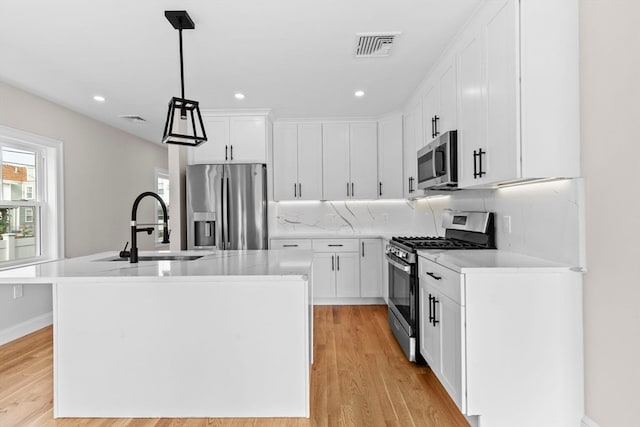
297 165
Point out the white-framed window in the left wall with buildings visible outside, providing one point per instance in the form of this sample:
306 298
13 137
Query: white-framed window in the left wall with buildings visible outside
30 200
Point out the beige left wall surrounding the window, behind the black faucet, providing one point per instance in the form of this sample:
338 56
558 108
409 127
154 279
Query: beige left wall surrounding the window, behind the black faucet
104 170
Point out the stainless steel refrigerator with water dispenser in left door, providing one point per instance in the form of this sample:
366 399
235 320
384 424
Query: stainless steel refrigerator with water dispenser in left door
227 206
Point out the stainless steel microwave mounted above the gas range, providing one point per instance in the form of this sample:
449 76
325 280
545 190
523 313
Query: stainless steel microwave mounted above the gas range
438 163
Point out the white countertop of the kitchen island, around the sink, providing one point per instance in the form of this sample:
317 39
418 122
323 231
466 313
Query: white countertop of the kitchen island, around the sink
214 265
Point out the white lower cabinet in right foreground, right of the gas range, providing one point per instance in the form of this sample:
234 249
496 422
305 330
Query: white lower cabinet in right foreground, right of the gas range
505 343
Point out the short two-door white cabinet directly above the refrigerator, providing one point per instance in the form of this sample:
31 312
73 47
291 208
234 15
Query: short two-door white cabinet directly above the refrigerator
232 138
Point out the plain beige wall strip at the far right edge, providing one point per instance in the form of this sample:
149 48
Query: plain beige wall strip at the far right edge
610 116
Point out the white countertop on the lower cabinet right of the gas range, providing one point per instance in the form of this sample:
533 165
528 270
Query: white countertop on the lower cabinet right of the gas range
492 261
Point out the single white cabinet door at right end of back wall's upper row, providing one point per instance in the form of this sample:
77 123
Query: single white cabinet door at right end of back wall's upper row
390 172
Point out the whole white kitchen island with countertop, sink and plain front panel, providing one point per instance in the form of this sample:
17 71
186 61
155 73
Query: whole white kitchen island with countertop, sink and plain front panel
225 335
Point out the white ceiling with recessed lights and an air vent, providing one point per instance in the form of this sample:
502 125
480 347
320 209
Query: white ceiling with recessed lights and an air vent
295 57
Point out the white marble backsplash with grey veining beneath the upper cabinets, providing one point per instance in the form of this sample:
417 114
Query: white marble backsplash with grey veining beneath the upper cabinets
546 218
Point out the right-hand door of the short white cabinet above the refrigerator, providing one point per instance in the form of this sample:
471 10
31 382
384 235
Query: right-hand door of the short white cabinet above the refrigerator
247 137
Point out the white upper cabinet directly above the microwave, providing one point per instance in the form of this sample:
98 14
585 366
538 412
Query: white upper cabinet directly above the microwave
439 104
